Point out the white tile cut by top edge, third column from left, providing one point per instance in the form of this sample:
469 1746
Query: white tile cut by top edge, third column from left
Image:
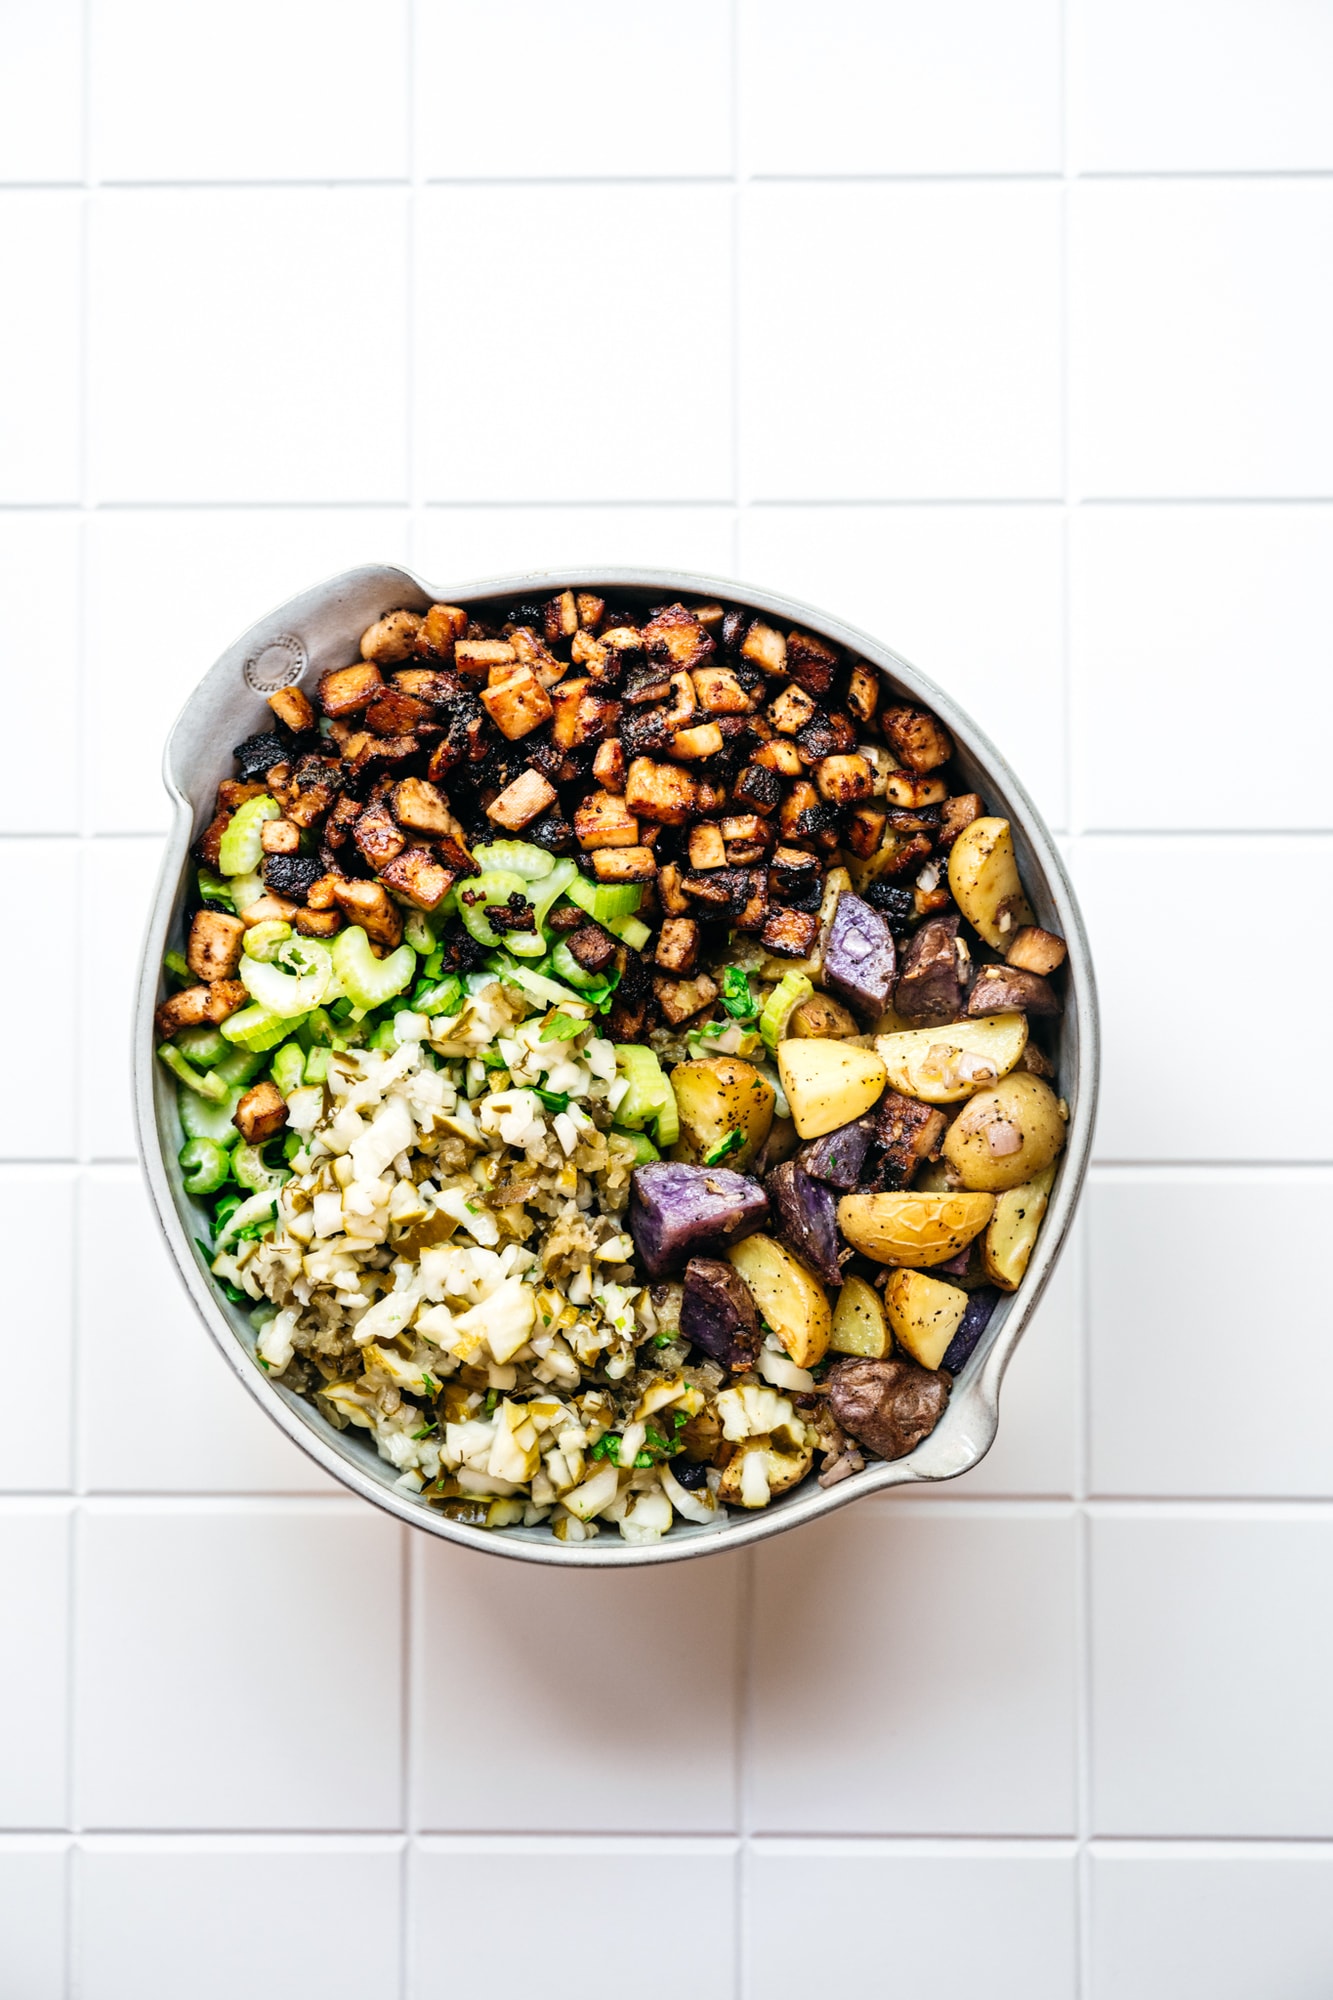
589 89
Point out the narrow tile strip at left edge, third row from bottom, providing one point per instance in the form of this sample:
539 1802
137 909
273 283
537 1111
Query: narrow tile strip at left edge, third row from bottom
37 1243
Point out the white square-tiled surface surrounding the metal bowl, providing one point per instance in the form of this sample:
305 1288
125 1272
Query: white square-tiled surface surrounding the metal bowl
1002 331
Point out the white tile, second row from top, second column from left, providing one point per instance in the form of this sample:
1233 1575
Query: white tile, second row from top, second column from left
249 345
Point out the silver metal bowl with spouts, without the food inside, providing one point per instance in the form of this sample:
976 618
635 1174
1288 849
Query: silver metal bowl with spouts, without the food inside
321 631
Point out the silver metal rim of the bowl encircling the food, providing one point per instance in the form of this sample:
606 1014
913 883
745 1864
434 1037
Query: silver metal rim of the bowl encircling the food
972 1421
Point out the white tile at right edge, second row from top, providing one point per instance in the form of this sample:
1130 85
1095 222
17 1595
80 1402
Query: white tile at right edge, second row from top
1202 315
